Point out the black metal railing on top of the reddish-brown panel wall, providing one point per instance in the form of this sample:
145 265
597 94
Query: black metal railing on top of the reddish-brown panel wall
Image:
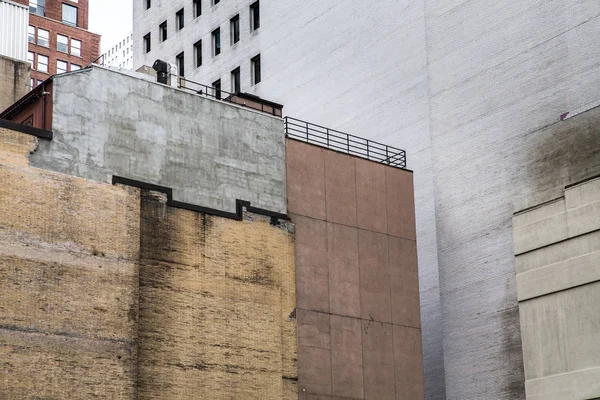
345 143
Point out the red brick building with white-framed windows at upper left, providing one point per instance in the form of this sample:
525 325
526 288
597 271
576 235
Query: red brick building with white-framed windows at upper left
58 37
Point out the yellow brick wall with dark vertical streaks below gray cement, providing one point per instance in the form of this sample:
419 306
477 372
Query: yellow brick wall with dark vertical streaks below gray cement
81 260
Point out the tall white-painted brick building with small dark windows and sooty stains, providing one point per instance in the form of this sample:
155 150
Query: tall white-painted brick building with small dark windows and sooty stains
473 90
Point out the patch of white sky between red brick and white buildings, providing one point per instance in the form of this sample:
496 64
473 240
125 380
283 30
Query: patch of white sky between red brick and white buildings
113 19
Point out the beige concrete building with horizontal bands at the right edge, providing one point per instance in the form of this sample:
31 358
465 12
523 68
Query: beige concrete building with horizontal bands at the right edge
557 246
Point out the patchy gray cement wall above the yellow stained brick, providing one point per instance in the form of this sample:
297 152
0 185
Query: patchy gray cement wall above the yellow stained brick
211 153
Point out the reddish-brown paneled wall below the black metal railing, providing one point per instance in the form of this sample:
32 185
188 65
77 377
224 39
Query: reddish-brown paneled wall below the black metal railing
359 333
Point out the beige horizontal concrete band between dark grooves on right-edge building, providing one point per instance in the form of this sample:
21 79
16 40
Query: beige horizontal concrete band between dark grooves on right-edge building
560 276
